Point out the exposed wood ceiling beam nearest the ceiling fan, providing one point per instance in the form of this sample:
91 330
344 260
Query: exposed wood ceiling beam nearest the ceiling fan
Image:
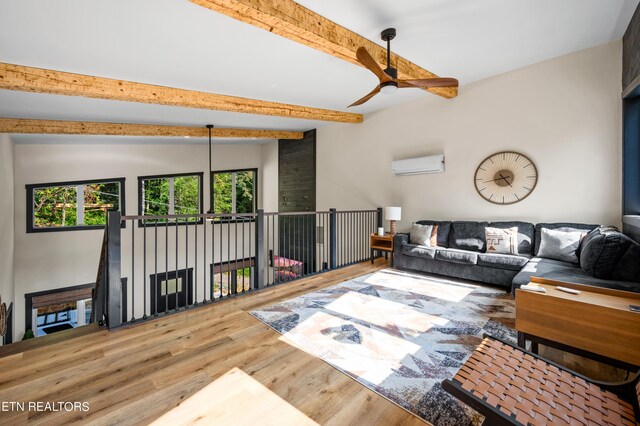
297 23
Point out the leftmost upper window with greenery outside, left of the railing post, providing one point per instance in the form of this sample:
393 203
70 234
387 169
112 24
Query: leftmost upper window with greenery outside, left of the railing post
69 206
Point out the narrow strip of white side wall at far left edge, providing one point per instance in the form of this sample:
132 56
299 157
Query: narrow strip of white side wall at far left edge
6 219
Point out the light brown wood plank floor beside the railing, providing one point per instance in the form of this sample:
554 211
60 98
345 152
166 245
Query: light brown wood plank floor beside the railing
212 365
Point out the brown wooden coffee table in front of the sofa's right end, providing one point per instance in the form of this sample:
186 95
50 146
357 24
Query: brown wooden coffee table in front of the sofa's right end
596 324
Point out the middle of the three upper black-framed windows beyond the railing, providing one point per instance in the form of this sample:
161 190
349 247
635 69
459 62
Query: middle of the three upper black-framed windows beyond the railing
170 194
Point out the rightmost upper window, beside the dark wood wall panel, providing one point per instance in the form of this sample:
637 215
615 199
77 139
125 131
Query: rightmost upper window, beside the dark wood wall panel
235 191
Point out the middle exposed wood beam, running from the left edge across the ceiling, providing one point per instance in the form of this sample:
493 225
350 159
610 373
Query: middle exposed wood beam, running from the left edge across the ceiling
28 79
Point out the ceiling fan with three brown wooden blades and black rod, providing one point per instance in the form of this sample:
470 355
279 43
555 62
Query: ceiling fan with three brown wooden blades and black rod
389 81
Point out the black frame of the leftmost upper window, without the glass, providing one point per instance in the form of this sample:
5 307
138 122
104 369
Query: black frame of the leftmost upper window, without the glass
31 228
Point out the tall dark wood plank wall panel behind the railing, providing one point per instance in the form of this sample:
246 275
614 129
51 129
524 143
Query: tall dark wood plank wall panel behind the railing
297 193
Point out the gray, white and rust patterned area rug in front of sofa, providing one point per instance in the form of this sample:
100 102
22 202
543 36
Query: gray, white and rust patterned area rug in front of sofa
399 334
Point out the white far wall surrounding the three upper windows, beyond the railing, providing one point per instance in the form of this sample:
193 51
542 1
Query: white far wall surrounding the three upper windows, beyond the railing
60 259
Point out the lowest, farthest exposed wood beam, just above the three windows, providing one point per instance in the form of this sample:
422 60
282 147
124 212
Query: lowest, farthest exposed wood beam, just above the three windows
20 125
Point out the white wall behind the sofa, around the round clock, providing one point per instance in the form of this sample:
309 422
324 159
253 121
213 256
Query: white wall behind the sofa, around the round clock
565 114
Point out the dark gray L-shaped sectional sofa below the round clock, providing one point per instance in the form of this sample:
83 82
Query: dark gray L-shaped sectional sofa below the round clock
461 253
